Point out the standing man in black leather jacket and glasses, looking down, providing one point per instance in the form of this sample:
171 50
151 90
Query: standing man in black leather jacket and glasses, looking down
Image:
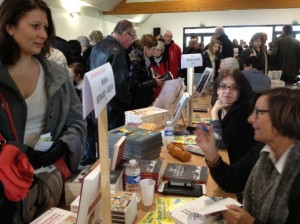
112 50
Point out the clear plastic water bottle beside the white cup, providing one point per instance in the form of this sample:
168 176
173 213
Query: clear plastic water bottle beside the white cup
133 177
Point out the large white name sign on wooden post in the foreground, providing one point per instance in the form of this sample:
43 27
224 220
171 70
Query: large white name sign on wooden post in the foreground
98 90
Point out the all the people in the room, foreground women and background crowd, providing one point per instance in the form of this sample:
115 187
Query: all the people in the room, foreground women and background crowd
253 121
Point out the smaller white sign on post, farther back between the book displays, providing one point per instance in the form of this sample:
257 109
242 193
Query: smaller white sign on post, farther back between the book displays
190 61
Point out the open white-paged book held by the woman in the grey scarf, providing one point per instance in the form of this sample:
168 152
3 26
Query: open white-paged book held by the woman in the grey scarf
201 208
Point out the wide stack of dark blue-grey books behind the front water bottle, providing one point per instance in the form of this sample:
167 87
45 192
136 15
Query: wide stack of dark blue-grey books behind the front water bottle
139 143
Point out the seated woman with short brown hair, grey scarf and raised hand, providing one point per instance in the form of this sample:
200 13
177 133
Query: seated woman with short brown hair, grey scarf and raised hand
272 190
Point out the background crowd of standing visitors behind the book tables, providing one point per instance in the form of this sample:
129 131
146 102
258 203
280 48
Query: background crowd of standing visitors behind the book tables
142 60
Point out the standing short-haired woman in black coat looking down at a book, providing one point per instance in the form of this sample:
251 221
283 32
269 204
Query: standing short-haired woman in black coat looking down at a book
141 80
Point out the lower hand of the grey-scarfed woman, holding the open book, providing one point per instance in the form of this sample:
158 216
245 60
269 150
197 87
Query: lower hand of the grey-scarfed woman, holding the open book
236 215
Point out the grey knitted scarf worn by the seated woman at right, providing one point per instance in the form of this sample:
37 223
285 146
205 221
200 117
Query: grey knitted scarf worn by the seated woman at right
267 192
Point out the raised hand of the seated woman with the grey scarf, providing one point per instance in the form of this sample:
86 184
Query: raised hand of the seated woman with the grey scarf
206 141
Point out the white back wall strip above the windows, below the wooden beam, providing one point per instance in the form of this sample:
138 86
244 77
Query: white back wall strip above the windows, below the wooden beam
176 21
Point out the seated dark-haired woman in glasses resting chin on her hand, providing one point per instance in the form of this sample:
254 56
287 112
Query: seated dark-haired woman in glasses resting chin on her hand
229 113
